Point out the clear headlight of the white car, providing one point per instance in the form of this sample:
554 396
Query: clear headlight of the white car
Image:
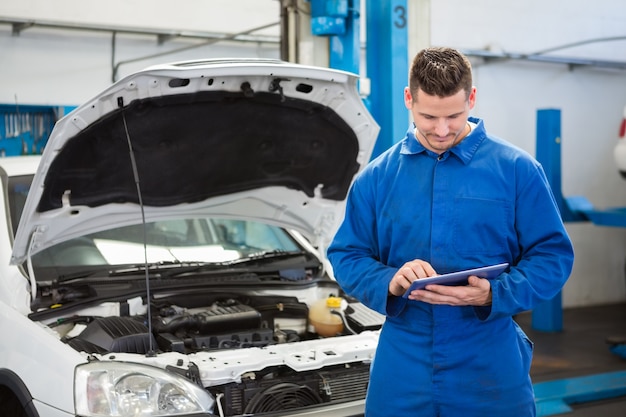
128 389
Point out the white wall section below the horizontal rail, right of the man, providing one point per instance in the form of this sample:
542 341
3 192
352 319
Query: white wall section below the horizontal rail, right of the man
591 104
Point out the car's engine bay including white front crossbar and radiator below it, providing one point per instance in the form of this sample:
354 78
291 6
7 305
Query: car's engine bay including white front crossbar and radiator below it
234 332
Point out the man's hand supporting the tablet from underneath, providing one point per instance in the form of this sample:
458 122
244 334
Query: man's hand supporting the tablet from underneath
476 293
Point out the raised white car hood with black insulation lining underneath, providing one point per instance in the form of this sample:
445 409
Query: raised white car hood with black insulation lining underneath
248 139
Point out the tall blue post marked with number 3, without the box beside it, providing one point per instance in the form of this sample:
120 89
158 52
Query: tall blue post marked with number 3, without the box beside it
387 68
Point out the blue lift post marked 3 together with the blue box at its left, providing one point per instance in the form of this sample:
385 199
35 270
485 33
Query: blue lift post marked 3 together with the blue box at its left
387 60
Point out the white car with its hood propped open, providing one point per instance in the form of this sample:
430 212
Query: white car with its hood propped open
170 254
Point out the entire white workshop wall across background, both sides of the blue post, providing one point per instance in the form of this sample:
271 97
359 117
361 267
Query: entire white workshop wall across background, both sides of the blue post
47 66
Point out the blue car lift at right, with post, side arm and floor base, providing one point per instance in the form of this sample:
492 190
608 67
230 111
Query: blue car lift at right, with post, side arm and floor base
555 397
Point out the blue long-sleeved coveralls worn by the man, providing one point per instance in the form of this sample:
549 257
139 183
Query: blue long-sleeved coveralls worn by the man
483 202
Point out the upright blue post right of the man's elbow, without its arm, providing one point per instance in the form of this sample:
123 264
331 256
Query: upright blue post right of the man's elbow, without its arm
548 316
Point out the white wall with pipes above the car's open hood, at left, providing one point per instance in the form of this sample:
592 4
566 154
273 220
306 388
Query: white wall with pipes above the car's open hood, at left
50 66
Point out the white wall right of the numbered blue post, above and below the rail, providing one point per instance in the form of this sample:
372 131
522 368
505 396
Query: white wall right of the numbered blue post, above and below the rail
591 101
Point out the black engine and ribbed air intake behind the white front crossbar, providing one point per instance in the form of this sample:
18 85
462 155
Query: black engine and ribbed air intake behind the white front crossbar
226 323
